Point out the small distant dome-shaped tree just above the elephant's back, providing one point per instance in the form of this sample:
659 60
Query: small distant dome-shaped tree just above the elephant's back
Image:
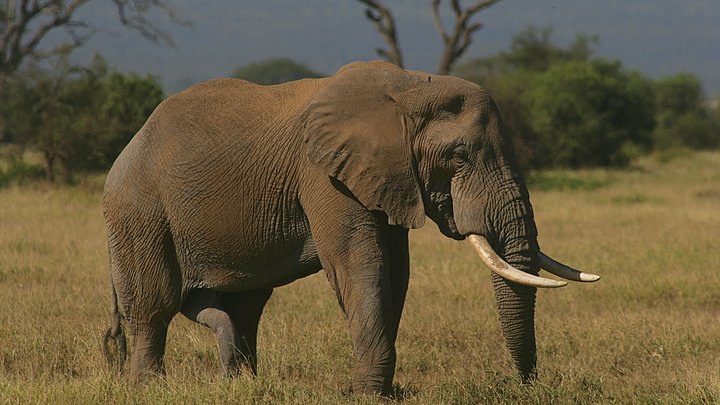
274 71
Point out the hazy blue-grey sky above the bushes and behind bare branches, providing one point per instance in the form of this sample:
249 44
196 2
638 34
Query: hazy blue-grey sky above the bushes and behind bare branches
658 37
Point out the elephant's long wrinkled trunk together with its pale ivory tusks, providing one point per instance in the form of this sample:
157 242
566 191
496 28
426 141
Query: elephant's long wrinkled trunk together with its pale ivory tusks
504 234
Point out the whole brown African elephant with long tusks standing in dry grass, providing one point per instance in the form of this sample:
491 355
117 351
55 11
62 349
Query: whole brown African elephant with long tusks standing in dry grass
231 189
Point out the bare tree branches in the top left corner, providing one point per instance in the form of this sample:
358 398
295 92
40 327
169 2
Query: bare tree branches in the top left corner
25 23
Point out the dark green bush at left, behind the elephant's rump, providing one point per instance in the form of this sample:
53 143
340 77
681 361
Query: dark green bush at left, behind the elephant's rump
79 119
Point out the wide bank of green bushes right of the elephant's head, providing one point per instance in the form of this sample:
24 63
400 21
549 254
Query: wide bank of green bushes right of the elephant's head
564 108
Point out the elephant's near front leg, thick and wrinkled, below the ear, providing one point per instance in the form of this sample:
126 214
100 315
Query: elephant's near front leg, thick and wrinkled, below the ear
353 250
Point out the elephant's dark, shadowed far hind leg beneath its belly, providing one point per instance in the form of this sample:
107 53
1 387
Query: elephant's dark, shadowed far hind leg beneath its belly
245 309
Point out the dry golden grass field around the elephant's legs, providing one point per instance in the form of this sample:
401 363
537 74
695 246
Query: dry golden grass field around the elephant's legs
648 332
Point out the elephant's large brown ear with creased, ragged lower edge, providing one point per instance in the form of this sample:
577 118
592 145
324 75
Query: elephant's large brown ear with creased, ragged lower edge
357 133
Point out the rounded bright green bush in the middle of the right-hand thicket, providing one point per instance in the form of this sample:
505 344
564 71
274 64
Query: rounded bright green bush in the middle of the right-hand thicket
589 114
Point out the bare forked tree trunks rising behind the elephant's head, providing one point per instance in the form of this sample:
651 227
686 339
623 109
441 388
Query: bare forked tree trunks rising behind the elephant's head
455 42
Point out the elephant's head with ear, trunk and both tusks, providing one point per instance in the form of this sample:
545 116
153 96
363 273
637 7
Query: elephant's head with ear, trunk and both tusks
412 145
